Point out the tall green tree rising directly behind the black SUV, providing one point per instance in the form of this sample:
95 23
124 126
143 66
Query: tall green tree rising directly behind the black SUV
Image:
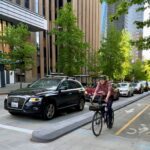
69 41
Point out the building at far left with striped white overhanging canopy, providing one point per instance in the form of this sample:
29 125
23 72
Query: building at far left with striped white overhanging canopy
13 12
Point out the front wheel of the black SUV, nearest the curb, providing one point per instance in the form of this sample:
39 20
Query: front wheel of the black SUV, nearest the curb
49 111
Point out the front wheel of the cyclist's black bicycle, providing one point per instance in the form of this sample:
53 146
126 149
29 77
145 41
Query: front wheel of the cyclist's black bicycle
97 123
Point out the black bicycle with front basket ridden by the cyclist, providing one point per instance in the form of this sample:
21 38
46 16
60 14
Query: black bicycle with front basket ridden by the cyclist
101 116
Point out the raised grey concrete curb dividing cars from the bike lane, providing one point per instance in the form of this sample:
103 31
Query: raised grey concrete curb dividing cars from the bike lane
49 134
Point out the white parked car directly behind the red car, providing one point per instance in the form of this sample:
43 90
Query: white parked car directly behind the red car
126 89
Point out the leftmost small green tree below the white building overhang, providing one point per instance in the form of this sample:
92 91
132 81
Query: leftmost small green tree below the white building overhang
21 51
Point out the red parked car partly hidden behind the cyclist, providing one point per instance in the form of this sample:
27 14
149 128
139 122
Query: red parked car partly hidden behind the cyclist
89 91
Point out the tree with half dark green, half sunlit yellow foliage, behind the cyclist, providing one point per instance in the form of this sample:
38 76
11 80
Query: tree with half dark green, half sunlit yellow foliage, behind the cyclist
114 54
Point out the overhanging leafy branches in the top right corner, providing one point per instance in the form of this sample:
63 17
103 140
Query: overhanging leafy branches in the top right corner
142 43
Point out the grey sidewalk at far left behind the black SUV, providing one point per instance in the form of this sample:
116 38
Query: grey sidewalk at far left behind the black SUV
10 87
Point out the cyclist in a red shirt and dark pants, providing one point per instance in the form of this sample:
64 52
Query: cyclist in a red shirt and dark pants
104 89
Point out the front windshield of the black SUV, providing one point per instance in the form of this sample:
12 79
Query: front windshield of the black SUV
51 84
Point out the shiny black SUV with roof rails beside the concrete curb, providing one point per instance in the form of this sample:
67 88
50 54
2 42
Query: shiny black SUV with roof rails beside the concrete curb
45 96
